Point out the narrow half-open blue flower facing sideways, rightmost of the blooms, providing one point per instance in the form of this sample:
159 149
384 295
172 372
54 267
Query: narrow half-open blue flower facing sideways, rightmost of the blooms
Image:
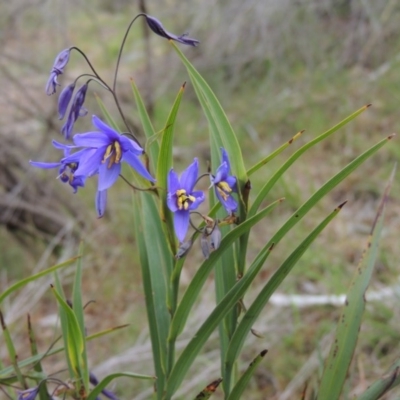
225 184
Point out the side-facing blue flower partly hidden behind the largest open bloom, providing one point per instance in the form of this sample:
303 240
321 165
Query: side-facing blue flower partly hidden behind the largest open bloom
67 170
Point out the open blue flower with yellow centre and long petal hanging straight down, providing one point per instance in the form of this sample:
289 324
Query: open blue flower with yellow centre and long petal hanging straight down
181 199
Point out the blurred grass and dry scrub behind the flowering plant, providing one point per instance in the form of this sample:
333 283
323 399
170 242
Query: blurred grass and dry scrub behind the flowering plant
278 67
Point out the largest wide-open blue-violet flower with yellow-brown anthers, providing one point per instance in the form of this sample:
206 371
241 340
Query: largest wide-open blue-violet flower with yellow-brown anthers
103 153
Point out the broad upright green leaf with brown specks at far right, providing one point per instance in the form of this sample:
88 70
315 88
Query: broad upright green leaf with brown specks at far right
349 323
